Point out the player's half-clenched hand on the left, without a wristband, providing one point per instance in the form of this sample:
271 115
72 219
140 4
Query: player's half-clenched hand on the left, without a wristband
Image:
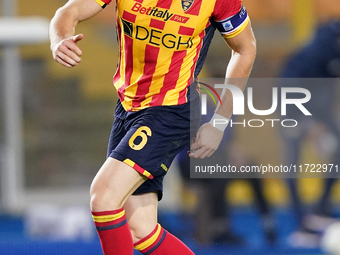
66 52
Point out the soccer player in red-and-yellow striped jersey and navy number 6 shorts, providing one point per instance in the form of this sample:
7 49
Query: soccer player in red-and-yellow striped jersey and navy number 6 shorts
163 44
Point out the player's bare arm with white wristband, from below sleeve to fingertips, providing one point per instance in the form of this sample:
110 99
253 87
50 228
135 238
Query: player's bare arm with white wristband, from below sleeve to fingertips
243 48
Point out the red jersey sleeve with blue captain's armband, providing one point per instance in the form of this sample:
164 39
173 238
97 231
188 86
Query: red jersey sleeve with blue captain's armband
230 17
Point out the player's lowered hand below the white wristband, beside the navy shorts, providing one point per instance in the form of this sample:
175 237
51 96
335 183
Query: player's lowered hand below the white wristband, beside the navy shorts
207 140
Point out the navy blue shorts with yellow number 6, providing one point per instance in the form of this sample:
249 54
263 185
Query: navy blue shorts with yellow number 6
148 140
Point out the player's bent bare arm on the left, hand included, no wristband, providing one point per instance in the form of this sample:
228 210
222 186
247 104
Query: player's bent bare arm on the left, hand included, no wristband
62 29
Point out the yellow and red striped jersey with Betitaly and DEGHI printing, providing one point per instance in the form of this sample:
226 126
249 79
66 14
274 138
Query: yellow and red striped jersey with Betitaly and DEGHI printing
163 44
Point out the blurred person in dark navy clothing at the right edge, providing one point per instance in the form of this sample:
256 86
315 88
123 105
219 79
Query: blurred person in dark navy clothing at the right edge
320 58
